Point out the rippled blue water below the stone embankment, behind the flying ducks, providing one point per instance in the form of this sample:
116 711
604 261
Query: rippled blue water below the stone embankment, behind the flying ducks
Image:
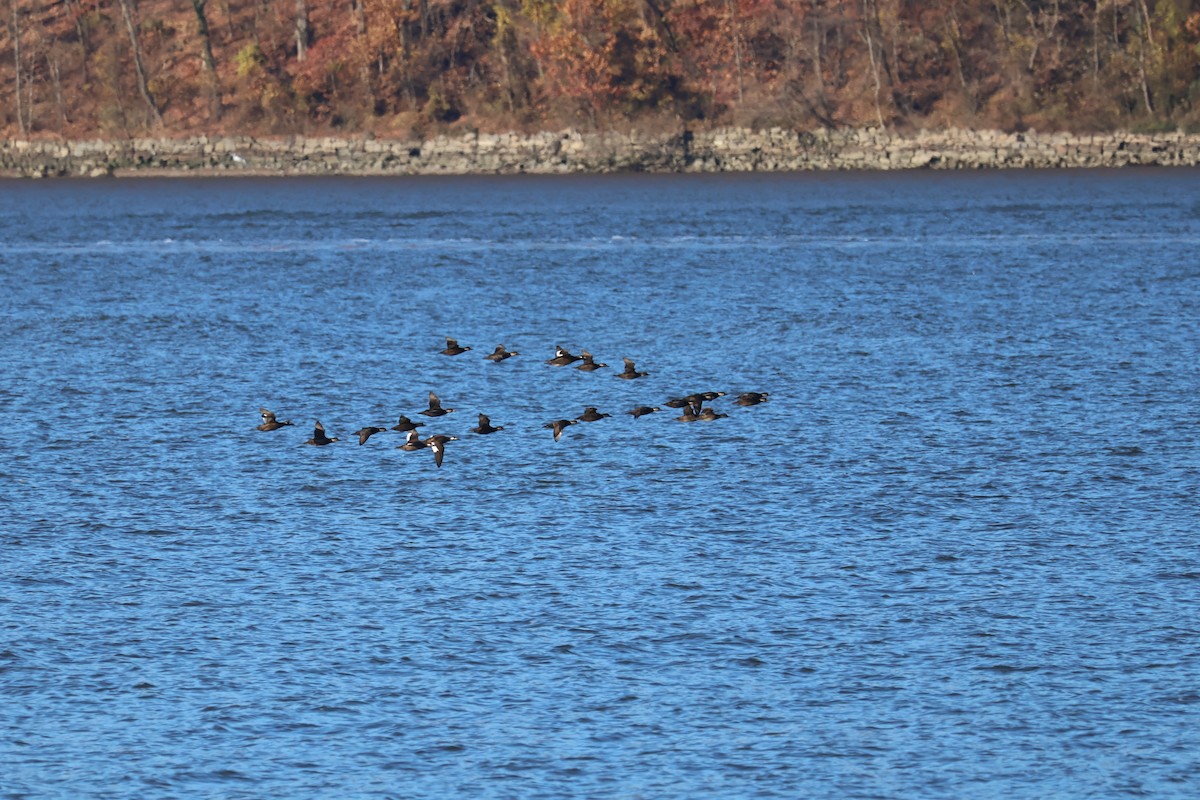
956 555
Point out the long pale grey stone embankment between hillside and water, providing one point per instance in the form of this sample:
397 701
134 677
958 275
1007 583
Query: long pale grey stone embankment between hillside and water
569 152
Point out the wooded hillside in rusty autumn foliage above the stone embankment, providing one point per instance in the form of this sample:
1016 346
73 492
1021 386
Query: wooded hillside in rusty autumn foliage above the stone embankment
85 69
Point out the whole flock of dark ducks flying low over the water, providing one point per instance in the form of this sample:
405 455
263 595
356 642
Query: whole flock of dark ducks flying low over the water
693 407
